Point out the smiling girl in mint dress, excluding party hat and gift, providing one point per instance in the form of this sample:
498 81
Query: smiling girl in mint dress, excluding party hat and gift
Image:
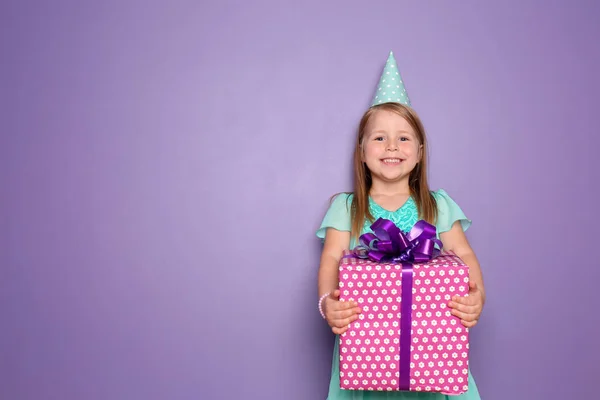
390 181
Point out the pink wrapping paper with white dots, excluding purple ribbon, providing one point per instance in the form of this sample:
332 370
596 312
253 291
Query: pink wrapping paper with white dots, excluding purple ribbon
370 348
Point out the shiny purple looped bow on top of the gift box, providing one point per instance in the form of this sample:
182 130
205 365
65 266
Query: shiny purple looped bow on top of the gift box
389 243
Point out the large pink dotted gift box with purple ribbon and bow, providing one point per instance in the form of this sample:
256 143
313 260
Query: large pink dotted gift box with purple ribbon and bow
405 339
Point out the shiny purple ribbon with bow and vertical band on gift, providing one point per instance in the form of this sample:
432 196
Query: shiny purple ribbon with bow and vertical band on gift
388 243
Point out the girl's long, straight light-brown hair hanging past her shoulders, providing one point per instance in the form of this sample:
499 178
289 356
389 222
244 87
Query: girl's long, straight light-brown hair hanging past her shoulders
417 181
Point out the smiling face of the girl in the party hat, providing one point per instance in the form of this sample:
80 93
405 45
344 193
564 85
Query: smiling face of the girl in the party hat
390 147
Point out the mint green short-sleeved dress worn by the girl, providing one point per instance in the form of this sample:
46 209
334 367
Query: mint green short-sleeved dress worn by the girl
338 217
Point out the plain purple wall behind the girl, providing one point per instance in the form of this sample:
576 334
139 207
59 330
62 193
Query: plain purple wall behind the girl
164 169
